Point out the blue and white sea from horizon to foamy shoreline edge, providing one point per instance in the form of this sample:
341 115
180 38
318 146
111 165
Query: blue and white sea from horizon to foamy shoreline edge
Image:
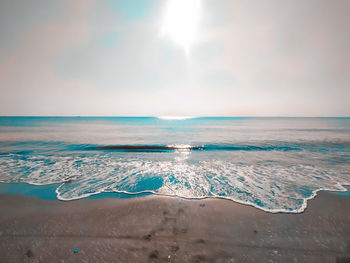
275 164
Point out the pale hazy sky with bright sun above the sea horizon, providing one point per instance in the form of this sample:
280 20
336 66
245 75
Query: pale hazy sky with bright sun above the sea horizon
175 58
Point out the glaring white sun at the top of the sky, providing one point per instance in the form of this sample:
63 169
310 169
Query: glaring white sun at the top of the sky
181 21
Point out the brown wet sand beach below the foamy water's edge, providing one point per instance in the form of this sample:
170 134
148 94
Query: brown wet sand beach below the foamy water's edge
165 229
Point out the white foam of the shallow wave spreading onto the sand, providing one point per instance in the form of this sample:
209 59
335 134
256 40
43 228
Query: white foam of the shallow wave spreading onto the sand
283 185
